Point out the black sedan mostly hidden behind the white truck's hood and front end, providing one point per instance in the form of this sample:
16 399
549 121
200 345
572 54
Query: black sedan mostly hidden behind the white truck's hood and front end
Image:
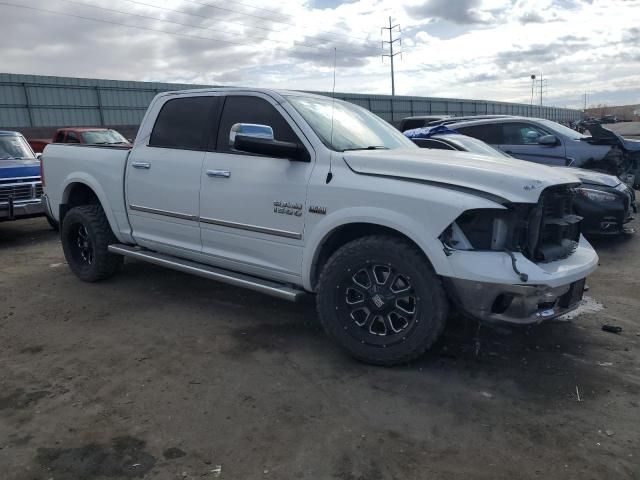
605 203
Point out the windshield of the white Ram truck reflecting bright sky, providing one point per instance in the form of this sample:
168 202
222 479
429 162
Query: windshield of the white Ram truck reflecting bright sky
343 126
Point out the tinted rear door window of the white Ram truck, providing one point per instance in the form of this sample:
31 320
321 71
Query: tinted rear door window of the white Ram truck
183 123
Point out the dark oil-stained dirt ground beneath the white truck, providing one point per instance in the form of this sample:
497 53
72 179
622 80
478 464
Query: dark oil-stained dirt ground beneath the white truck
160 375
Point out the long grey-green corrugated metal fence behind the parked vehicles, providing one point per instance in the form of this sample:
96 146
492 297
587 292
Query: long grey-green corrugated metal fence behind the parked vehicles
35 101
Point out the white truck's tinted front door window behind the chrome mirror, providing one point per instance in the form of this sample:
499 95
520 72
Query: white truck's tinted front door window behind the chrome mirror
240 109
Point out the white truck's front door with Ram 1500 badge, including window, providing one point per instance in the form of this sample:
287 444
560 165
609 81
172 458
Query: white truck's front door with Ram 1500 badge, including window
252 206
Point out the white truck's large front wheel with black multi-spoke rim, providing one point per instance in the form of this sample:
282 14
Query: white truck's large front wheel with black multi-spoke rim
380 299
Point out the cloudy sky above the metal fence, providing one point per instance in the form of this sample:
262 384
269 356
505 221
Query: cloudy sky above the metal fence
484 49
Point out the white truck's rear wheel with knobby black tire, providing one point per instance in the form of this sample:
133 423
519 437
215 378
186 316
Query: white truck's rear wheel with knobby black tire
86 236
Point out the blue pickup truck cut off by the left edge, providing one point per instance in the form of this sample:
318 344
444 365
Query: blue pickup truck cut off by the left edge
20 185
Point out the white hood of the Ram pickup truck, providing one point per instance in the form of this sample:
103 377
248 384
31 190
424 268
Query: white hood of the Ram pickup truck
505 178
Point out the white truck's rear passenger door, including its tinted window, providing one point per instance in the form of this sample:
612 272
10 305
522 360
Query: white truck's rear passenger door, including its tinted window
163 176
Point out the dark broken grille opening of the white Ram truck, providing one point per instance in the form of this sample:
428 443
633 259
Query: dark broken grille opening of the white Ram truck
554 230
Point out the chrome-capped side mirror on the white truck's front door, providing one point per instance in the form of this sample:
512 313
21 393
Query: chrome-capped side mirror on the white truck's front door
258 139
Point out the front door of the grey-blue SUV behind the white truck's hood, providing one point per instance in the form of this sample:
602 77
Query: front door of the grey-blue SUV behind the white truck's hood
520 140
